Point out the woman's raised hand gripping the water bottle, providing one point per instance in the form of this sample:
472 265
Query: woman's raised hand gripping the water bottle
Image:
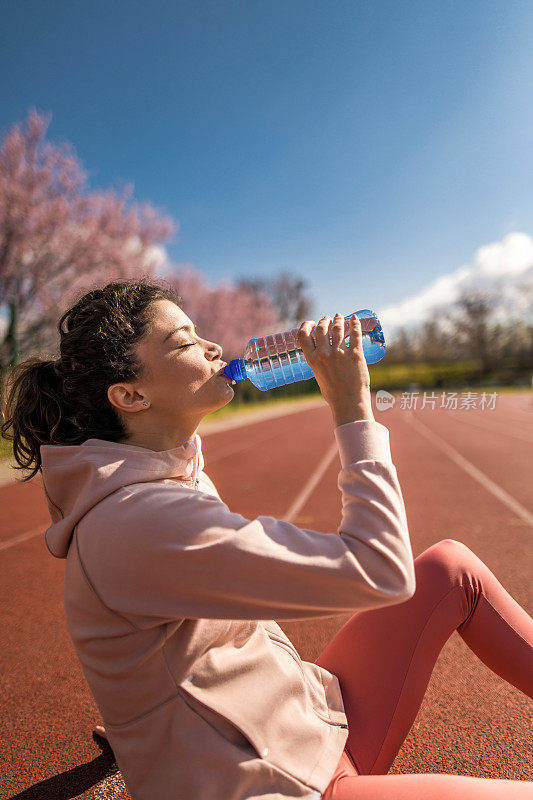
341 372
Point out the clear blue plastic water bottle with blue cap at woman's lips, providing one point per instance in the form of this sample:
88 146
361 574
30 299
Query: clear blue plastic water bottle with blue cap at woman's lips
276 360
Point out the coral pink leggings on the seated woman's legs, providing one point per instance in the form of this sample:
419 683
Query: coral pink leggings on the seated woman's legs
384 659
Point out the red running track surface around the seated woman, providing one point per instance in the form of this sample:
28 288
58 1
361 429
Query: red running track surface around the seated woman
471 721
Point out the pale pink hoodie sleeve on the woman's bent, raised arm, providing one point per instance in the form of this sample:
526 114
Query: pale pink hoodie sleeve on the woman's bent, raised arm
156 552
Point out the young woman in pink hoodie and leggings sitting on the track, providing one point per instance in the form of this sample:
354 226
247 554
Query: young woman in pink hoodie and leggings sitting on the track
170 597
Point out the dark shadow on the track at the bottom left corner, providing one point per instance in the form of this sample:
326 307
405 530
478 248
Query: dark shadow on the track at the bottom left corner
74 781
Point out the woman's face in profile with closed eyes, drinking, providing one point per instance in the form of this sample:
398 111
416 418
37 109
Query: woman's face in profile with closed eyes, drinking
181 377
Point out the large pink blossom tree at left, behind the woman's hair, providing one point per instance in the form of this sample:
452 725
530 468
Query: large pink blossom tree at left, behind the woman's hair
57 239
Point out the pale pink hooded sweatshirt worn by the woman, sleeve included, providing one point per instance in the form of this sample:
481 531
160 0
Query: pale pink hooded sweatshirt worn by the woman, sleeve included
169 599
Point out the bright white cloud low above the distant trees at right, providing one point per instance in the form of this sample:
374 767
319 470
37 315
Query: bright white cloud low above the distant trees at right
503 269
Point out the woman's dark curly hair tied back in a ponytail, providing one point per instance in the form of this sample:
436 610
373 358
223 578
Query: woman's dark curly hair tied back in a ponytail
65 402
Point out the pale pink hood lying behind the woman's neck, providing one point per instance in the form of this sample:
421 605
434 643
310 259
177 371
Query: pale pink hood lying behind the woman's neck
77 477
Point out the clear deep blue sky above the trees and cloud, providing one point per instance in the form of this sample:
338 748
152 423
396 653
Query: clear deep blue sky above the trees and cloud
369 147
